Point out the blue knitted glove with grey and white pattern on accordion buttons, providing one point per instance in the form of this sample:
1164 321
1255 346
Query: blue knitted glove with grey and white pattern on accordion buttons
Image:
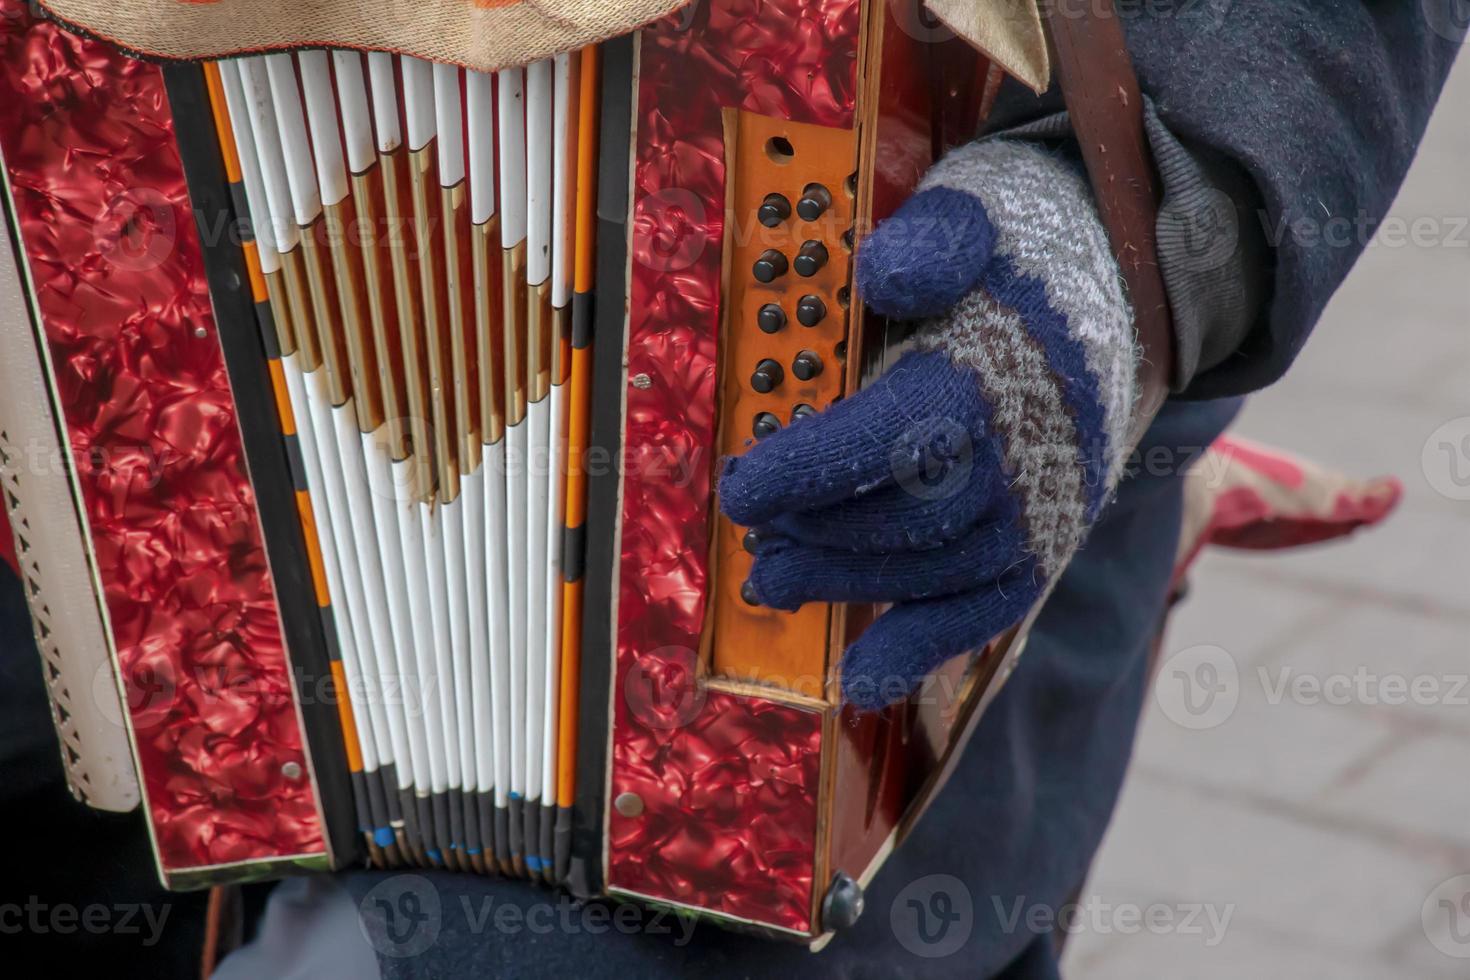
962 481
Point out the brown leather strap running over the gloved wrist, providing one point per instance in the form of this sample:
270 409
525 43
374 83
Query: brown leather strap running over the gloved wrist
1106 108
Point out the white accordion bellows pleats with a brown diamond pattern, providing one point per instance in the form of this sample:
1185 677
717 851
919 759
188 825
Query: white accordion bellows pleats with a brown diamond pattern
445 603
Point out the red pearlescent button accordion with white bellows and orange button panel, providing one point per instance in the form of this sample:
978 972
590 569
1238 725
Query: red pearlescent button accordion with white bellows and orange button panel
358 427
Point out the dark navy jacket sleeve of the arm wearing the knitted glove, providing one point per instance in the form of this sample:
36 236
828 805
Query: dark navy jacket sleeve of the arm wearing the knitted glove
1318 107
